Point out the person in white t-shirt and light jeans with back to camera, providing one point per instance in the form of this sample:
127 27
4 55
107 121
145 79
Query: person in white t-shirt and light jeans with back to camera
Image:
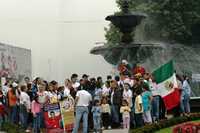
82 100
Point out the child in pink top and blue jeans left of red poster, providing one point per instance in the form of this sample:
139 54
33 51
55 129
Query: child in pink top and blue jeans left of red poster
36 110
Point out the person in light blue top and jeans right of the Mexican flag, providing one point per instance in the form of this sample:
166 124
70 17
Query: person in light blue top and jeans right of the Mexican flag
186 92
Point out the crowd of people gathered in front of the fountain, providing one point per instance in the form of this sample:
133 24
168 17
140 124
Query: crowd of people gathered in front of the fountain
125 101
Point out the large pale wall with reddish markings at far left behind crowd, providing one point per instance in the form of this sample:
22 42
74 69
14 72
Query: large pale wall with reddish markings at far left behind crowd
15 62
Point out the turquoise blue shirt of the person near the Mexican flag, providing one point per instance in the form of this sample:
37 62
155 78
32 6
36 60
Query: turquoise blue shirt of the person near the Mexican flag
146 100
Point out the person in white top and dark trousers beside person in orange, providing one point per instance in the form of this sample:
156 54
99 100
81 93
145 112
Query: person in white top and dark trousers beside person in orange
24 106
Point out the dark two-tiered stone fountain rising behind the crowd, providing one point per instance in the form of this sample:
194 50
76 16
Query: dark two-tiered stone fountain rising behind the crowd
127 49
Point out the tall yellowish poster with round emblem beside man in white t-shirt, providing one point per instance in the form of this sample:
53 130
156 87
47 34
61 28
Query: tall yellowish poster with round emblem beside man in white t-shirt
67 113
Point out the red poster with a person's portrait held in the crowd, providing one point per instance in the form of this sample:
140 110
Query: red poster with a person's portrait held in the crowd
52 116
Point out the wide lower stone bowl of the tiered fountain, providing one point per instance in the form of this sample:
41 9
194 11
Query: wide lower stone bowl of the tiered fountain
133 53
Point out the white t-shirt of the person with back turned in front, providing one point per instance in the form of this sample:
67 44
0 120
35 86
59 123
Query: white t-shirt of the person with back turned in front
84 98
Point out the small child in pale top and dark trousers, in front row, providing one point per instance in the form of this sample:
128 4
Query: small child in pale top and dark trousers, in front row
105 107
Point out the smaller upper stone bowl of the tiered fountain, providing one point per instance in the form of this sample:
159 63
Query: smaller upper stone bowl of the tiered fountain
126 21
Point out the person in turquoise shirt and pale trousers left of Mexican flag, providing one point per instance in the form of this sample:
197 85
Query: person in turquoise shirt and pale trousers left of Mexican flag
146 101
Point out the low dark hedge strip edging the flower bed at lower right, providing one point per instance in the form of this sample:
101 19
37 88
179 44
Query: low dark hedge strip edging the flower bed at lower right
165 124
